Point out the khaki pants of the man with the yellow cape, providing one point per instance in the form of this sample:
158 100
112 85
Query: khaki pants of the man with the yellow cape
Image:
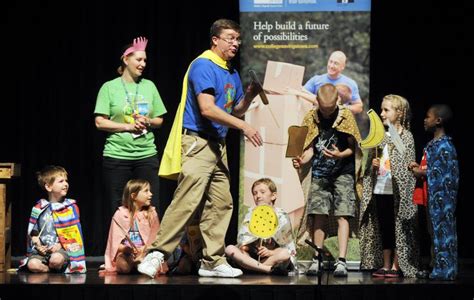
204 177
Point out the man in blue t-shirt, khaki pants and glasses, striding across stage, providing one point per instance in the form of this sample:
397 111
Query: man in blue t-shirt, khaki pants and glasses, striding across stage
214 102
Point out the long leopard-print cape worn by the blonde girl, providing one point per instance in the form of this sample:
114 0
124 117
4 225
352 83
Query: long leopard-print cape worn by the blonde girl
405 211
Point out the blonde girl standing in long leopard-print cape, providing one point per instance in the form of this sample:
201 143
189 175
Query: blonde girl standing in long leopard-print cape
388 217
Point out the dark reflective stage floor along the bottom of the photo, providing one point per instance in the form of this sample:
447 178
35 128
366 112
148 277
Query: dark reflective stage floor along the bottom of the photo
358 285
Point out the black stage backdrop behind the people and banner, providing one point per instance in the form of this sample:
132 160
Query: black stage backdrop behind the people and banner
57 55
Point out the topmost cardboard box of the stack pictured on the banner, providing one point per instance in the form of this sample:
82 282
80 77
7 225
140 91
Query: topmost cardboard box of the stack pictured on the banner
280 75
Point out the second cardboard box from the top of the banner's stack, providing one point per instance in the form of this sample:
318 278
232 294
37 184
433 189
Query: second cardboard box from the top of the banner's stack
273 120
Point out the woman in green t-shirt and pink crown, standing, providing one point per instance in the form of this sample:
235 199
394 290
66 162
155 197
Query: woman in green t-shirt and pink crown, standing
128 108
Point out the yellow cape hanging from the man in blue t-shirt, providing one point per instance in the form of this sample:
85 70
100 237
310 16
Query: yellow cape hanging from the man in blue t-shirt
170 166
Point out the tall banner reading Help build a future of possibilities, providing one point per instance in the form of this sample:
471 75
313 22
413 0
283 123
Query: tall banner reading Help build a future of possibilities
286 43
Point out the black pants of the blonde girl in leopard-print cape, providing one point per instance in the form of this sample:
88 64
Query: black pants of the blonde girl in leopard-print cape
385 214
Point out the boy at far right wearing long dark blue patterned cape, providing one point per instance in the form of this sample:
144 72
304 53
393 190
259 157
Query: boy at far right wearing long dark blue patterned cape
442 175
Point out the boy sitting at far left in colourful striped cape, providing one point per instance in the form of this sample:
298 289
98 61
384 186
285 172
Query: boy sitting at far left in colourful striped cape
55 240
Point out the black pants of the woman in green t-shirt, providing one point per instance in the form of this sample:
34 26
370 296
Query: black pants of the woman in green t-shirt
116 173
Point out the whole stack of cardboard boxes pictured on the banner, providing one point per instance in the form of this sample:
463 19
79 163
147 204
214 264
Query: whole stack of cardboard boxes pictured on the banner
272 121
